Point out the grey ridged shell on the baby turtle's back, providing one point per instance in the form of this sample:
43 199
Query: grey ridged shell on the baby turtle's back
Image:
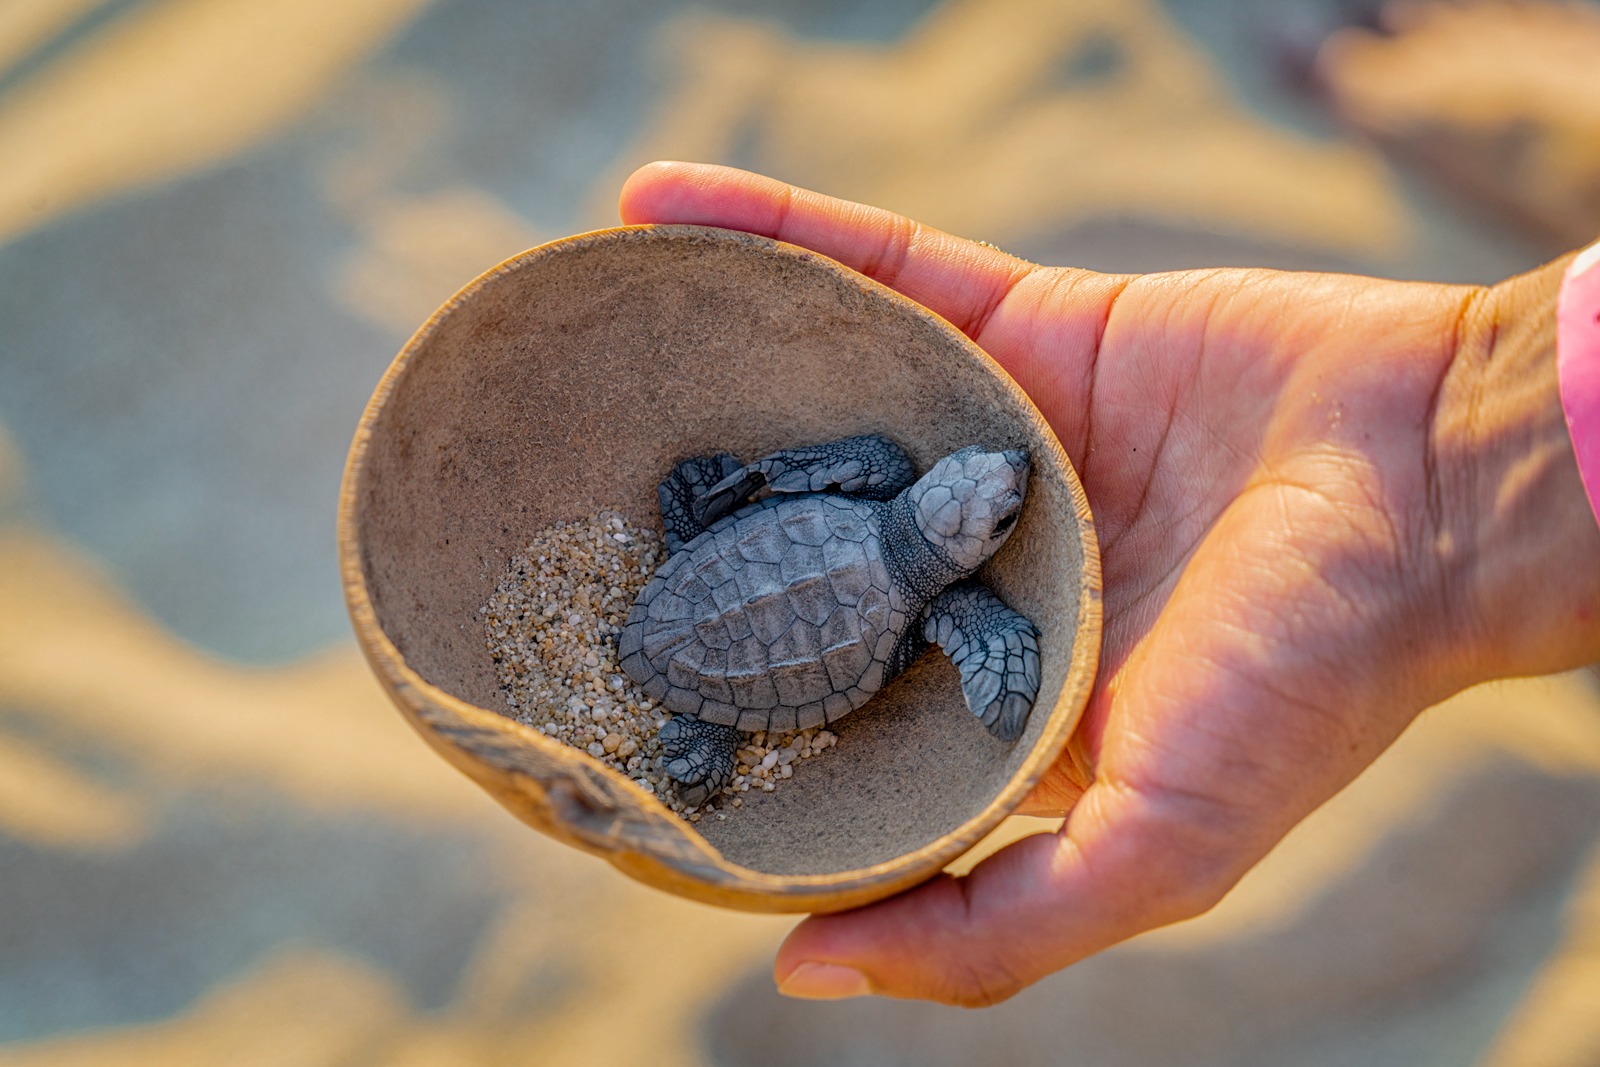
782 617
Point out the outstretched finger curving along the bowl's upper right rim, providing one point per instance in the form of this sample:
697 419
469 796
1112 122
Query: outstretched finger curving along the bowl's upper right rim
1044 326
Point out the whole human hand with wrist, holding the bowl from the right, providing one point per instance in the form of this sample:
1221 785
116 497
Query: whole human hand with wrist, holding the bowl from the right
1324 503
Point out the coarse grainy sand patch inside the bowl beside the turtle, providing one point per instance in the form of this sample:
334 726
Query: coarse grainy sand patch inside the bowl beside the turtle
551 628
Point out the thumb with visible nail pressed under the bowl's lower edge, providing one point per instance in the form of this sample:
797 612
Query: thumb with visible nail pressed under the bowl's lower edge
1119 868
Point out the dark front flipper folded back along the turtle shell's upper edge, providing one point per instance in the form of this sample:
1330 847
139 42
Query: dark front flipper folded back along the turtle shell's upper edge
871 466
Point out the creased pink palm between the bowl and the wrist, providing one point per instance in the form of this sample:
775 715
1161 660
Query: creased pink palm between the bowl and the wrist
1228 452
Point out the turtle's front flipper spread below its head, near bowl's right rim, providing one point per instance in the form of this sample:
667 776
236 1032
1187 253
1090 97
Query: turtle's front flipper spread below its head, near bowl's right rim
994 649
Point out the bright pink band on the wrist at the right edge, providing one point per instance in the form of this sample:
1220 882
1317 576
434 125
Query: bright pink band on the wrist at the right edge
1578 366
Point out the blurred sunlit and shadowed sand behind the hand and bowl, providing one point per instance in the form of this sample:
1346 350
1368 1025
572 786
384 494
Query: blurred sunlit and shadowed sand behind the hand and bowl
222 218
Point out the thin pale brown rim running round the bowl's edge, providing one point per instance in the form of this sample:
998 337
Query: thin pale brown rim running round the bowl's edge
694 868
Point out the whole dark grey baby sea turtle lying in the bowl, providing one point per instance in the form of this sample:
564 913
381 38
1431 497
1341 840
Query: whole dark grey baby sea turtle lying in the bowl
794 610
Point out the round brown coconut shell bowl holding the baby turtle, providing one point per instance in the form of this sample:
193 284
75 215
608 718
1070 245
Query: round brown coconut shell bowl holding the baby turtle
570 380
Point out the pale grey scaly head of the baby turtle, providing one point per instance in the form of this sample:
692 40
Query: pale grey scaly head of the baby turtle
967 506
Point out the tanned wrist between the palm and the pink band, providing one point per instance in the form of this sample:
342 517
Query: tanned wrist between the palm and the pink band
1519 541
